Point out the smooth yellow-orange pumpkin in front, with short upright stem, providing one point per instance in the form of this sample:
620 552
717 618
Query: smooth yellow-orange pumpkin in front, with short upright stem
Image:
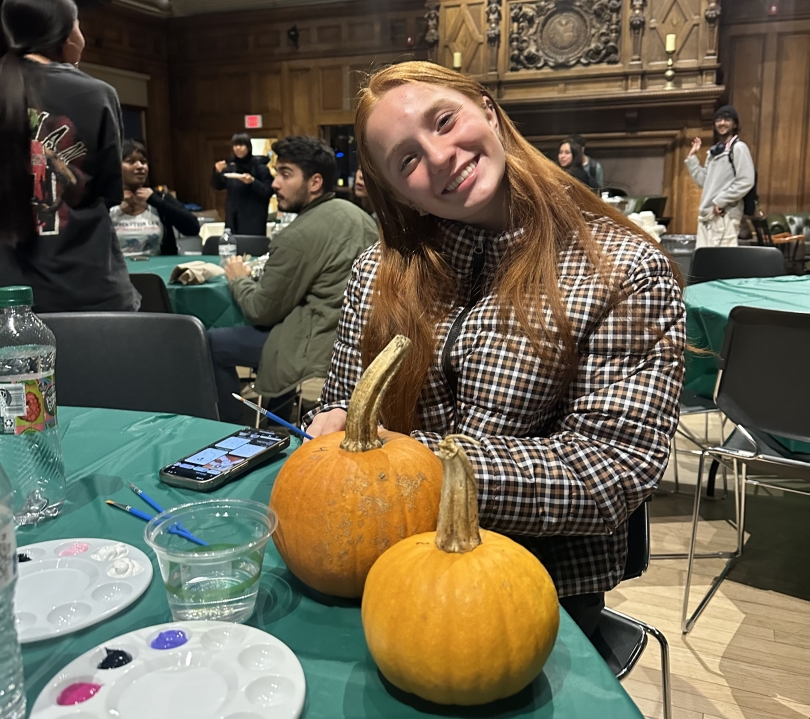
459 616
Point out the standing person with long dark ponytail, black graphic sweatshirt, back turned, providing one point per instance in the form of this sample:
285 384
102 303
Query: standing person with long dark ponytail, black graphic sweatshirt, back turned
60 165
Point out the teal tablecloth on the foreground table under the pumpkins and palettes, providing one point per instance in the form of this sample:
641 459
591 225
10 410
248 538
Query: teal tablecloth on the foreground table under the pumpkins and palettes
106 449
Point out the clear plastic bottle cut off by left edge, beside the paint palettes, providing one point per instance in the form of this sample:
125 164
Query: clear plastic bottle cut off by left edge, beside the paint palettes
12 692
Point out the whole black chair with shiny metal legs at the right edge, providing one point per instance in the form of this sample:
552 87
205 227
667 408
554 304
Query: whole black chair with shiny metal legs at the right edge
764 352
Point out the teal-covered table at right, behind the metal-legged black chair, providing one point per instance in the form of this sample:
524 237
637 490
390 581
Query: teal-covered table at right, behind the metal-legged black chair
708 306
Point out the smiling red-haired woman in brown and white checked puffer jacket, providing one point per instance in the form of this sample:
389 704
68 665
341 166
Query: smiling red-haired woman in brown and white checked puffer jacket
545 325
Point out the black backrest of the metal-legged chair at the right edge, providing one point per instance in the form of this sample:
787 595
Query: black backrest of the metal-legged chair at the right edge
763 371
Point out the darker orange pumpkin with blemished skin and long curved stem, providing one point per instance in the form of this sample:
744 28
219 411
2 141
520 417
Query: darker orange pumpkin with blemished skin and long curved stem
344 498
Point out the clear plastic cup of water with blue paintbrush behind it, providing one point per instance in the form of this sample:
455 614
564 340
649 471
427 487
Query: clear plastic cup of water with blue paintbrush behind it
221 580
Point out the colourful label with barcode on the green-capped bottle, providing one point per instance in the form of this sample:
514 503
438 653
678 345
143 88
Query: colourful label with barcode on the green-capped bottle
28 404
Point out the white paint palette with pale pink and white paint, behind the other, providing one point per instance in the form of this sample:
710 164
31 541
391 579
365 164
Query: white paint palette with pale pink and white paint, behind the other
68 584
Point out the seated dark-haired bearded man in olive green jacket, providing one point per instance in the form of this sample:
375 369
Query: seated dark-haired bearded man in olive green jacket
295 307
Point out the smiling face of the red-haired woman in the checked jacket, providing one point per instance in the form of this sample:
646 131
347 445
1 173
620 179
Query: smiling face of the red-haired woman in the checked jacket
440 152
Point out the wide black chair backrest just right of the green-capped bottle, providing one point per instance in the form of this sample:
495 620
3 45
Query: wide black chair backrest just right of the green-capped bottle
133 360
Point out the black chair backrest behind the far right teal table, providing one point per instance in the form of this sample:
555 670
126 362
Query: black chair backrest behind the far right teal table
728 263
